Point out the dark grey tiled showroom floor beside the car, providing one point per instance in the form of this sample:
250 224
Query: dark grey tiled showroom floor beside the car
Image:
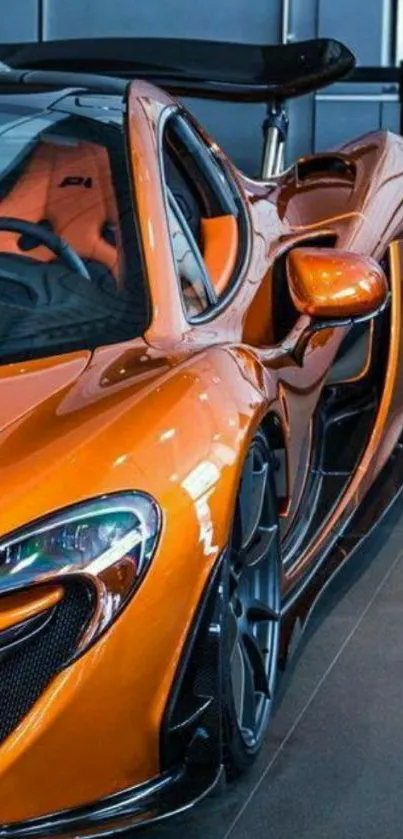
332 767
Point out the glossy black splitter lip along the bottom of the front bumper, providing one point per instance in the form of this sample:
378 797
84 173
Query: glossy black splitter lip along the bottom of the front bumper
171 793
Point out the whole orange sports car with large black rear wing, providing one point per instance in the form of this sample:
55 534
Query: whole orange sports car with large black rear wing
201 408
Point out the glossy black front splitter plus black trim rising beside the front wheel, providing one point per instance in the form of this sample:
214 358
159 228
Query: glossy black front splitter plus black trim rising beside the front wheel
191 742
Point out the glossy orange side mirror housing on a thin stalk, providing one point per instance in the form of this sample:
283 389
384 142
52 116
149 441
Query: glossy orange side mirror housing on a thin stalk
331 284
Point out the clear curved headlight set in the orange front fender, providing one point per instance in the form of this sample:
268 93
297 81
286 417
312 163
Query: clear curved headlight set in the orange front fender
110 540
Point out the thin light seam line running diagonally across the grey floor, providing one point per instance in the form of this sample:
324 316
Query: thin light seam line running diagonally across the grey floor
314 694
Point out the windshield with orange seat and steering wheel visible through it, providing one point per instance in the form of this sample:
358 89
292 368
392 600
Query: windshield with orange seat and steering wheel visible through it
70 262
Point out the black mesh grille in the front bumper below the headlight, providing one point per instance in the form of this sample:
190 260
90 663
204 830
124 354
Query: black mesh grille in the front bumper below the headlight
26 671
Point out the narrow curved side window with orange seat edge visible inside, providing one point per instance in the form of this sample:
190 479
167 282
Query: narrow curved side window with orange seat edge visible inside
207 211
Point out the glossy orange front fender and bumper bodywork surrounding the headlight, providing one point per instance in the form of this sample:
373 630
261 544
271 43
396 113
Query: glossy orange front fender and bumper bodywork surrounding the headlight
88 431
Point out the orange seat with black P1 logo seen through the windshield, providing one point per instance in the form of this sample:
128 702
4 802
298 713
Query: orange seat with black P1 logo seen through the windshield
71 187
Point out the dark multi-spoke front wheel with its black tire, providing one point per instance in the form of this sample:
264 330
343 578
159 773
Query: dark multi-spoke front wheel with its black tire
251 631
